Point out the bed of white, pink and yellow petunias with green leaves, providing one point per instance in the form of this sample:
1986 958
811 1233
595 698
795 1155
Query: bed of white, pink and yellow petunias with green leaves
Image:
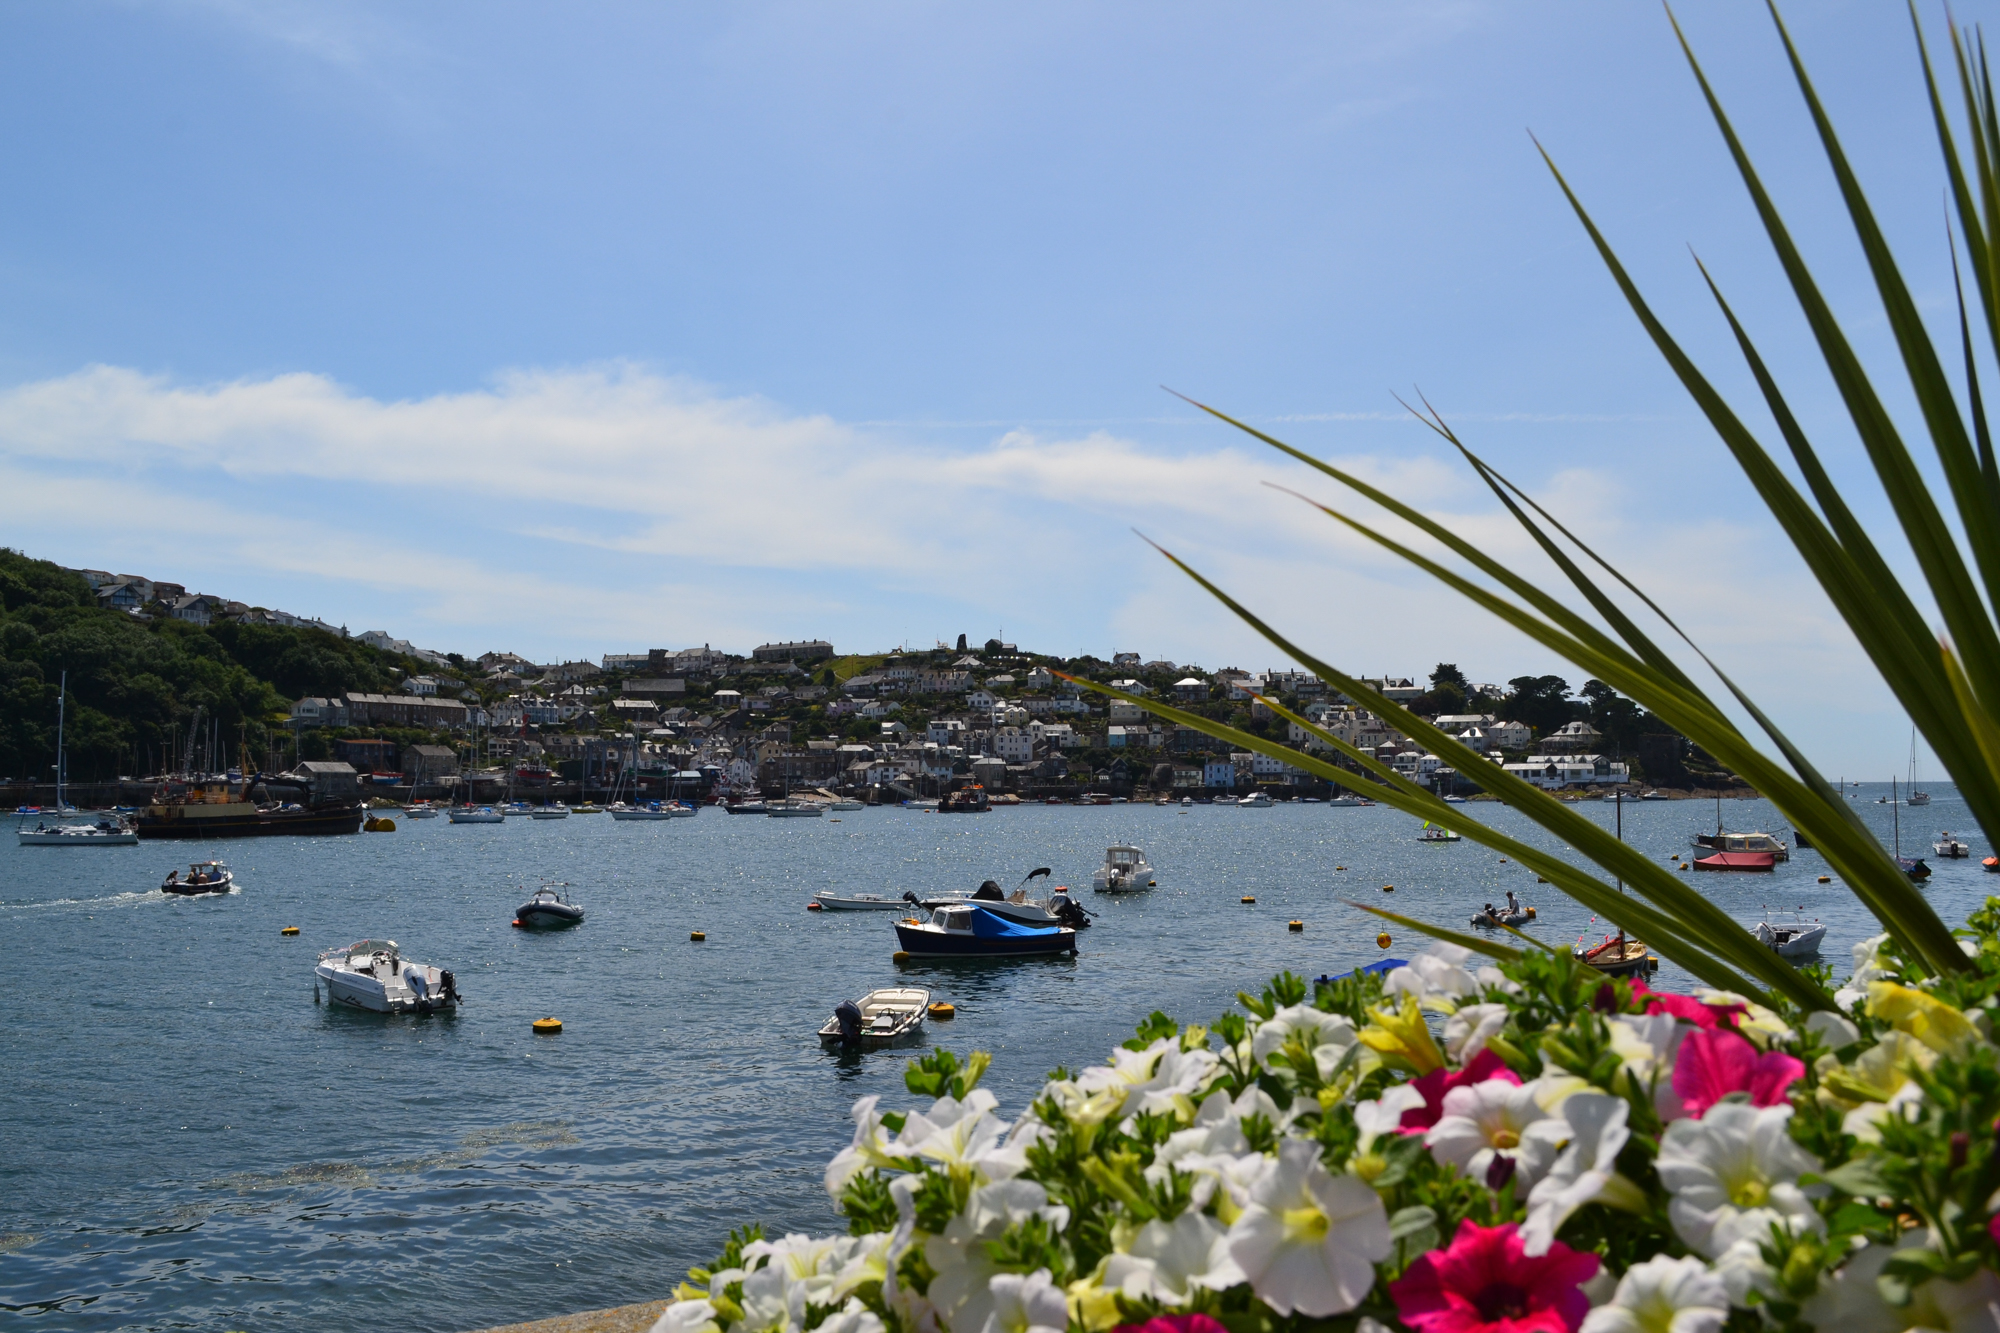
1563 1154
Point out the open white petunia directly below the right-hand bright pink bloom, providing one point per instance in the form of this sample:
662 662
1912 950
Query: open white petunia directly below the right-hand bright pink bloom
1733 1176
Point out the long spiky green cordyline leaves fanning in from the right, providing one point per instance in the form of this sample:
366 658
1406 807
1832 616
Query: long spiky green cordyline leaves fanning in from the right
1947 682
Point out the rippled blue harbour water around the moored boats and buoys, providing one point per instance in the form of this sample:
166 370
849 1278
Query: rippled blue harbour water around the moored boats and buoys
193 1144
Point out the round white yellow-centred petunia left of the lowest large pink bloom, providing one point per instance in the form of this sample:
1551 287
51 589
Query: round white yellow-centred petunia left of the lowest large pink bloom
1309 1242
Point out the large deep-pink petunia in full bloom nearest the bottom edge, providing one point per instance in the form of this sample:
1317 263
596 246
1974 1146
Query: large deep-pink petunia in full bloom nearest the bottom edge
1485 1284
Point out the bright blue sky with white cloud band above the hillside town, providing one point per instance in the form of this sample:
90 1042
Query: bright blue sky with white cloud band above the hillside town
581 329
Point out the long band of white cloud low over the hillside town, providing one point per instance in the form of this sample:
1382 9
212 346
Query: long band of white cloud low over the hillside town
583 511
